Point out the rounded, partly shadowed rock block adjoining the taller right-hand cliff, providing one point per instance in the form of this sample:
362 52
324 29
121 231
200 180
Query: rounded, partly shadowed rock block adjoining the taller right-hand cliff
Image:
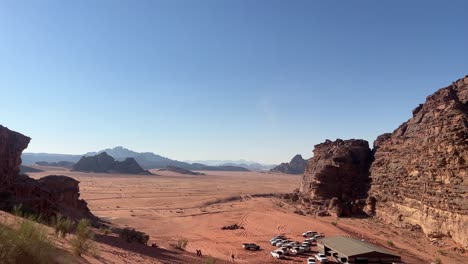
337 177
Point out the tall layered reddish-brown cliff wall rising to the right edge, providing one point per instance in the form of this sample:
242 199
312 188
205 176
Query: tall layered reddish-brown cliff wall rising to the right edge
419 176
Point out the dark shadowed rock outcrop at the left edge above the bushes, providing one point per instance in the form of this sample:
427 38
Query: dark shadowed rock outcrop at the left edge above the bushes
47 196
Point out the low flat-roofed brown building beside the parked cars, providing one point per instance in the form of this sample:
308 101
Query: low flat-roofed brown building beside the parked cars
345 249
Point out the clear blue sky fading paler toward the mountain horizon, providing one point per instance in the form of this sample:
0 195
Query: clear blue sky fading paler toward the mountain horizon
258 80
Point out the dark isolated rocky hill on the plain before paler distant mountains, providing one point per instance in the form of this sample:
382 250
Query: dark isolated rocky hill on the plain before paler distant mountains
103 163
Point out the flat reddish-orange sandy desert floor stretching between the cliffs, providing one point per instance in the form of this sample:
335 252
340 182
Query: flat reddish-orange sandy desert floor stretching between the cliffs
170 206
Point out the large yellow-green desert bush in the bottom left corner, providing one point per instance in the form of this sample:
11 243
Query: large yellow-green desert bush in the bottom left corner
27 244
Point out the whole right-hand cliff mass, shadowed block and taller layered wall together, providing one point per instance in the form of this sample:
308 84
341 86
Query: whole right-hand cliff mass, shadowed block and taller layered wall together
417 174
